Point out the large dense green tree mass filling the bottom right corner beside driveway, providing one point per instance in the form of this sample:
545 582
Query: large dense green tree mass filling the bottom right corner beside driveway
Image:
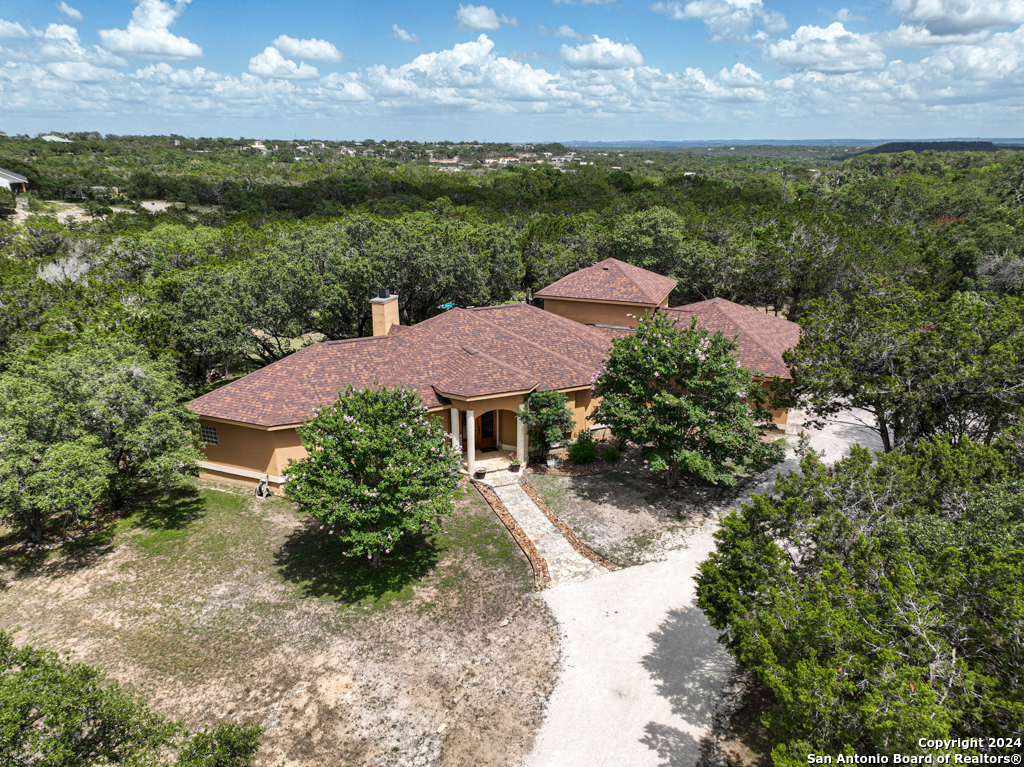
881 600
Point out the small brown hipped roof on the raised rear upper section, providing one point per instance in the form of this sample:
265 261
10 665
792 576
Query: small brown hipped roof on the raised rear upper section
613 280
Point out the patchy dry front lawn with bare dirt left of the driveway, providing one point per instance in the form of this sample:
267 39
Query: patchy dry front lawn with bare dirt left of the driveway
218 607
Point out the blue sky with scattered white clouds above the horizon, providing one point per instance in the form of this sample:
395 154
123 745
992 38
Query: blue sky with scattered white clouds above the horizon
523 70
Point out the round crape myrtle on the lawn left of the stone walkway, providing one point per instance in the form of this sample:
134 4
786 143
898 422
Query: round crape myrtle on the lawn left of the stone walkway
378 470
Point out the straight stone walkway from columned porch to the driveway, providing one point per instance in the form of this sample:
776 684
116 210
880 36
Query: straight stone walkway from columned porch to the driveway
565 563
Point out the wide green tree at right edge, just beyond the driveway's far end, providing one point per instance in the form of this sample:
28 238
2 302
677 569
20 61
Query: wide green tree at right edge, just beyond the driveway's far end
917 364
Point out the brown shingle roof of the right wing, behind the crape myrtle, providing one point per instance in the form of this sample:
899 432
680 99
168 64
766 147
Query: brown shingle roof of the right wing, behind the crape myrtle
761 338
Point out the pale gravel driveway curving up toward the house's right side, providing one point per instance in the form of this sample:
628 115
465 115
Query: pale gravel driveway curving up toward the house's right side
642 669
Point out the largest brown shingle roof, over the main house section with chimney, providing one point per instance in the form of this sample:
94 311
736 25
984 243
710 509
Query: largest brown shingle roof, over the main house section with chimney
463 353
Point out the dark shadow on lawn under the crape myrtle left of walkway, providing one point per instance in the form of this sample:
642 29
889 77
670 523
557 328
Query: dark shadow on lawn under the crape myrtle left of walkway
317 566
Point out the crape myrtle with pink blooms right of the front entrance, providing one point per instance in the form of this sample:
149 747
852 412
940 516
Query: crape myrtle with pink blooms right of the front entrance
681 396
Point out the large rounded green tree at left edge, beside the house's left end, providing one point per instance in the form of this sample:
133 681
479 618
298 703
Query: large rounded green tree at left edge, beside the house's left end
89 425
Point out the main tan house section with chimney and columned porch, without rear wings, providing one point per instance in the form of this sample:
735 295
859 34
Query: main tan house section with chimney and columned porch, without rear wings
473 368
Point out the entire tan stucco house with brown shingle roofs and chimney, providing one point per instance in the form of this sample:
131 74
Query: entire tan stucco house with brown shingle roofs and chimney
474 368
